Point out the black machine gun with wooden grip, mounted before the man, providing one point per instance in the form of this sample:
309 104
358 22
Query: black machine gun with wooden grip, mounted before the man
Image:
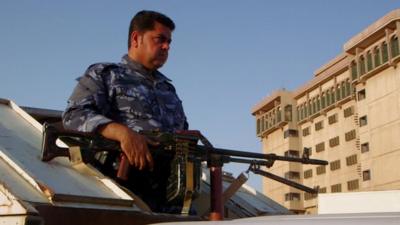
187 155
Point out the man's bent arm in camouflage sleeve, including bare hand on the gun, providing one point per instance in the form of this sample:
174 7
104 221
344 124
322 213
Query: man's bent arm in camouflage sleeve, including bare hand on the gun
86 112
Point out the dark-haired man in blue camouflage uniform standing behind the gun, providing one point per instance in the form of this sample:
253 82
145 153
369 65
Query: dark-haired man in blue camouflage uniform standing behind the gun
118 100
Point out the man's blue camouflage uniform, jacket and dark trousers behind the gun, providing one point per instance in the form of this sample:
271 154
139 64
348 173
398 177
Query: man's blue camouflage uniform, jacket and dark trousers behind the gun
129 94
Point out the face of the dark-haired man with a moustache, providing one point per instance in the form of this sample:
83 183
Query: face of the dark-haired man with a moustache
151 47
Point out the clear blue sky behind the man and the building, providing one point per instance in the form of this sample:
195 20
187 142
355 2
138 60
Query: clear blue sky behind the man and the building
226 56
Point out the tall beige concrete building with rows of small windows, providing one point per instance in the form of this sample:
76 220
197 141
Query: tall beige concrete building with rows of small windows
348 114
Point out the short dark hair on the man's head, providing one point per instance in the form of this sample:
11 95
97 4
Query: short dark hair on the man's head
144 21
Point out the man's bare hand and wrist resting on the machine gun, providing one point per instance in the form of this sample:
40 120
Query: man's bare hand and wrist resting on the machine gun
134 145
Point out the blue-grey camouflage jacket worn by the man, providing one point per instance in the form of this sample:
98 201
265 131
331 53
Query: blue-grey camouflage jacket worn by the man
125 93
